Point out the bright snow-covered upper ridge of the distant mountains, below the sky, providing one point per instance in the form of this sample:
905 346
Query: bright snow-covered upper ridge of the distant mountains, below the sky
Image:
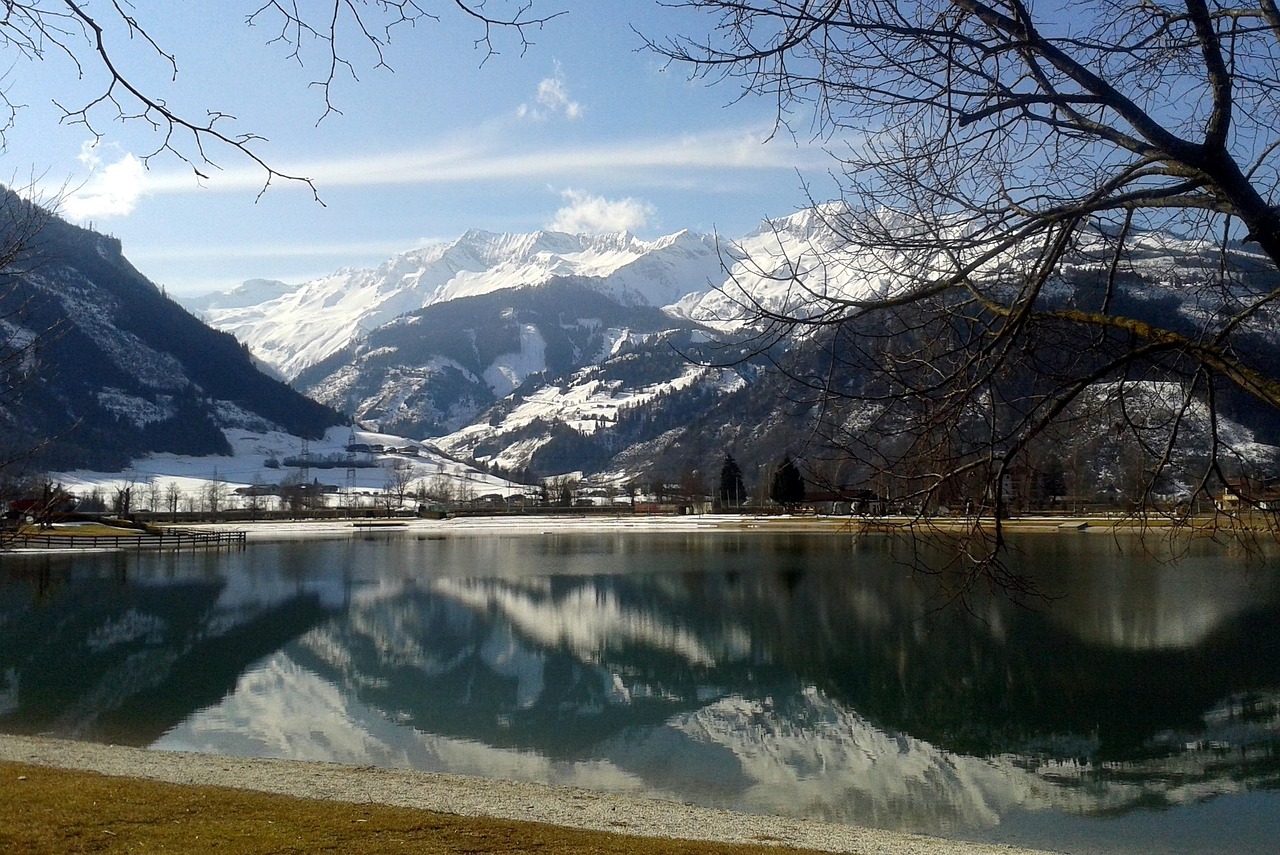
692 276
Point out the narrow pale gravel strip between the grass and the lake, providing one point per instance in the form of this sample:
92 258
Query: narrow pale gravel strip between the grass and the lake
478 798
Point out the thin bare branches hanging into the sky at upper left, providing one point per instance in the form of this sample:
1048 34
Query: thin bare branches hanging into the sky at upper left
339 38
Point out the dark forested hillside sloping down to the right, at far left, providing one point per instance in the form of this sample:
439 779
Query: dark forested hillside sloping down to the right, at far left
113 368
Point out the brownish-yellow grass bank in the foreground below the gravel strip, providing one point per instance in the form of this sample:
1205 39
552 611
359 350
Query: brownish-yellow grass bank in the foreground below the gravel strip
57 811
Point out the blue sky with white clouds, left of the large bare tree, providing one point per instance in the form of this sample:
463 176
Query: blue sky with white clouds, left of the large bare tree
583 131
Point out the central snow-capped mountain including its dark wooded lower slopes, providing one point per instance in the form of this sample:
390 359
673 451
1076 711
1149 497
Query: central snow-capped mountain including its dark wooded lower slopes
536 354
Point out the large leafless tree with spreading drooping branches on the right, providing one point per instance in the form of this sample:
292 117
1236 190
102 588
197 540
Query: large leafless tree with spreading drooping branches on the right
1018 188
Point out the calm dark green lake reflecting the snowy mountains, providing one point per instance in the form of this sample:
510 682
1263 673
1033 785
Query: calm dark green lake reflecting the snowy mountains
1136 710
